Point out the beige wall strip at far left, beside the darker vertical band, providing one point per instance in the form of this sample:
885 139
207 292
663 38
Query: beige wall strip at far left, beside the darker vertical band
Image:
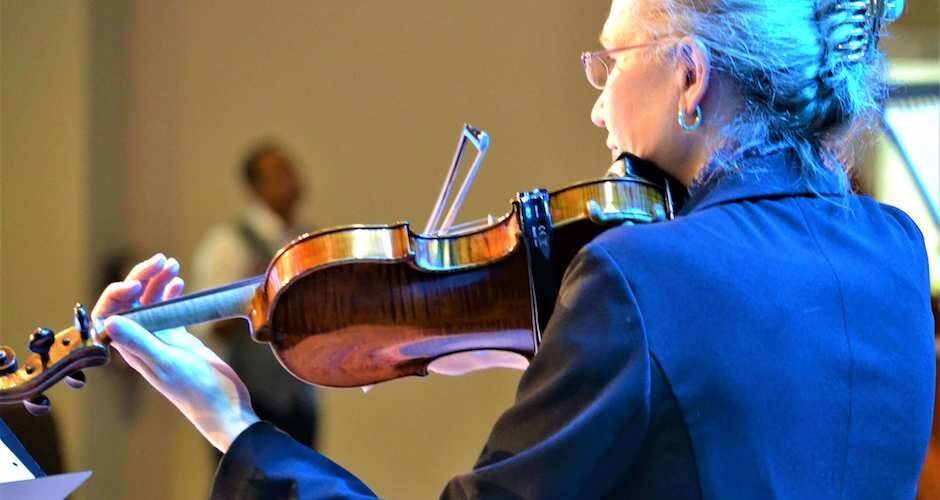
45 179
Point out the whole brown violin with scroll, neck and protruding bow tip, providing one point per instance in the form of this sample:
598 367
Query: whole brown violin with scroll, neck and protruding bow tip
362 304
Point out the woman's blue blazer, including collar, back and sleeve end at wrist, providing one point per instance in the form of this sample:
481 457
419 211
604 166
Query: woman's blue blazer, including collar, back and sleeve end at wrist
774 341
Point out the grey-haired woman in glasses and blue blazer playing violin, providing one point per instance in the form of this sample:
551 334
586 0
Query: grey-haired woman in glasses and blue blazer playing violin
773 340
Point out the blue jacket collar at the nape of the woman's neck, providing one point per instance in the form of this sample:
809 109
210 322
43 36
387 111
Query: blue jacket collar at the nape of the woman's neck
762 174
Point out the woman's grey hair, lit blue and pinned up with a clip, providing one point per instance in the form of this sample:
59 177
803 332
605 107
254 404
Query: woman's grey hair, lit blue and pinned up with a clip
808 72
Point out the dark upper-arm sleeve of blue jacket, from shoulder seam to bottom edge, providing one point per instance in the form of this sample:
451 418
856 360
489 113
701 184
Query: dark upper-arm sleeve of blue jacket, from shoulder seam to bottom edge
583 405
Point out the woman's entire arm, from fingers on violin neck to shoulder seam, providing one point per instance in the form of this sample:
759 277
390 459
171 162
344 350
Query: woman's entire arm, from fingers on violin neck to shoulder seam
580 414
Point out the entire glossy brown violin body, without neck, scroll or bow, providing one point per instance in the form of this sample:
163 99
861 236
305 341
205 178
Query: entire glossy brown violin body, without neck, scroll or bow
360 305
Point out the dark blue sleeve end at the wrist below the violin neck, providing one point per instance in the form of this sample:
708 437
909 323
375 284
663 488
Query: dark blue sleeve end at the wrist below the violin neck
265 463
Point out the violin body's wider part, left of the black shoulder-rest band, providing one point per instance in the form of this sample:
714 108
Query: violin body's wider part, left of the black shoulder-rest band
354 323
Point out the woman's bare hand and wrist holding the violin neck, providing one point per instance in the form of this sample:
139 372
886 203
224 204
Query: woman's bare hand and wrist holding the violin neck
174 362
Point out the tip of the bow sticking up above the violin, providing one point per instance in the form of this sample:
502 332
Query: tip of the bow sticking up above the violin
481 141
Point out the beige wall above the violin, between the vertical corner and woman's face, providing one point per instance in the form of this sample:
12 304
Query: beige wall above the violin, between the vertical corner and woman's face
370 95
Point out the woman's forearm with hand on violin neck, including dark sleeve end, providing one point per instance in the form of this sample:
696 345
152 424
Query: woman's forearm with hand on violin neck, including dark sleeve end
260 461
